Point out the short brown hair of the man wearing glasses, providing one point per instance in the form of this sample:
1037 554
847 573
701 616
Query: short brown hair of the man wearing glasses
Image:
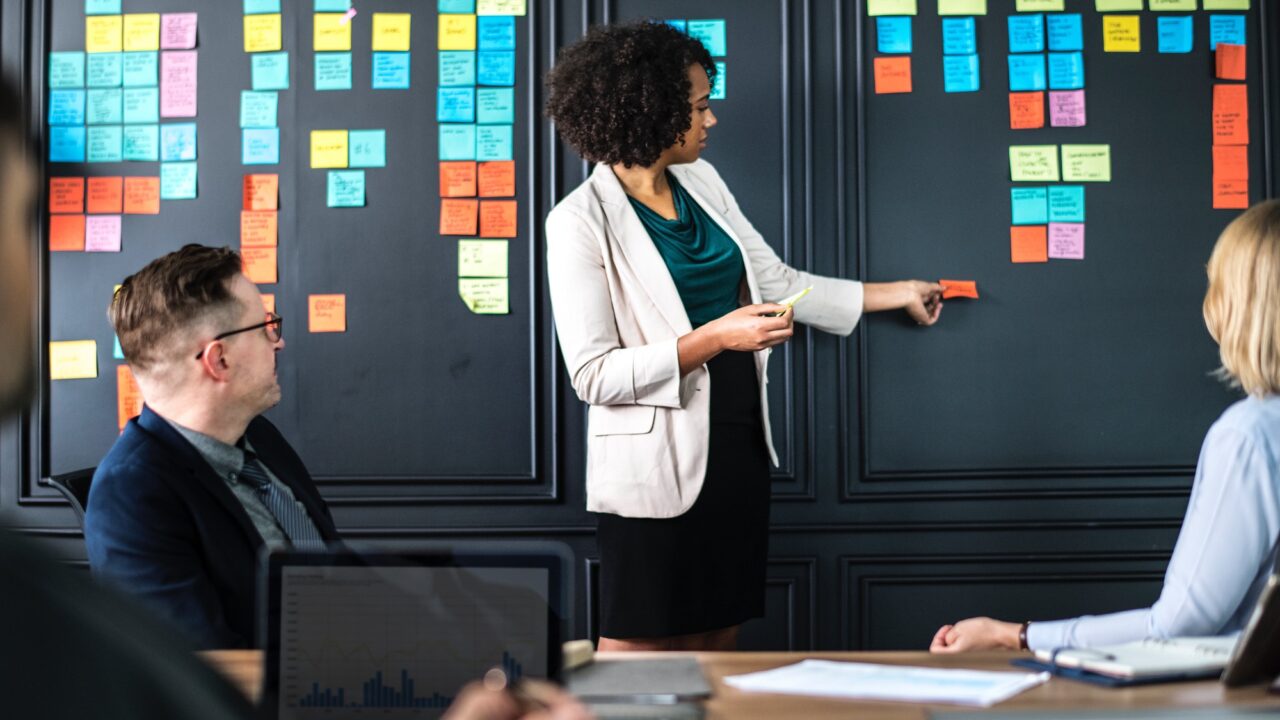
158 304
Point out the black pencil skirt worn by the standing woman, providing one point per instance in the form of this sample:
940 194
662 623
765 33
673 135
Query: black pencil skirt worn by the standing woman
702 571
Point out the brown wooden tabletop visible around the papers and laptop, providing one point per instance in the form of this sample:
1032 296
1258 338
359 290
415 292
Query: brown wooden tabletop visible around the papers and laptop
245 669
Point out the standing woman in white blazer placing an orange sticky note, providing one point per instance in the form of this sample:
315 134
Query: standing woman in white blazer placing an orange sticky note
665 306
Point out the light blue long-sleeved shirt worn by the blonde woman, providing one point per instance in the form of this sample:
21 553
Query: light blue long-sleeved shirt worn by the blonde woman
1226 550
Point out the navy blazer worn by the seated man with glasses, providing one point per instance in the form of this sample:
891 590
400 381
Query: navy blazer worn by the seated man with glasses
164 527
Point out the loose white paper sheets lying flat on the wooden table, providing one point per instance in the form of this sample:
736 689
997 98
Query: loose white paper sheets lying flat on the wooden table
863 681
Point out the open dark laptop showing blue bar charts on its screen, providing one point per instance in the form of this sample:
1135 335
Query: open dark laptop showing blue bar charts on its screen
351 635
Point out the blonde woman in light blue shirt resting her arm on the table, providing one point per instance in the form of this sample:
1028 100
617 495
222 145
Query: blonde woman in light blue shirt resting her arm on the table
1228 544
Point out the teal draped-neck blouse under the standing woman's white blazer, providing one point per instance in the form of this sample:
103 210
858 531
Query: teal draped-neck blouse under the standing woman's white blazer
703 259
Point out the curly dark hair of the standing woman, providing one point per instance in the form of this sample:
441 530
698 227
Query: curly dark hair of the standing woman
621 94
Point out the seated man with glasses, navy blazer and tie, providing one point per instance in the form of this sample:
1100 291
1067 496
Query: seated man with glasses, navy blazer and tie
198 486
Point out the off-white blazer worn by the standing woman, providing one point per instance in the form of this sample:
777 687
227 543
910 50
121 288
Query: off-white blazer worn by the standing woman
619 316
